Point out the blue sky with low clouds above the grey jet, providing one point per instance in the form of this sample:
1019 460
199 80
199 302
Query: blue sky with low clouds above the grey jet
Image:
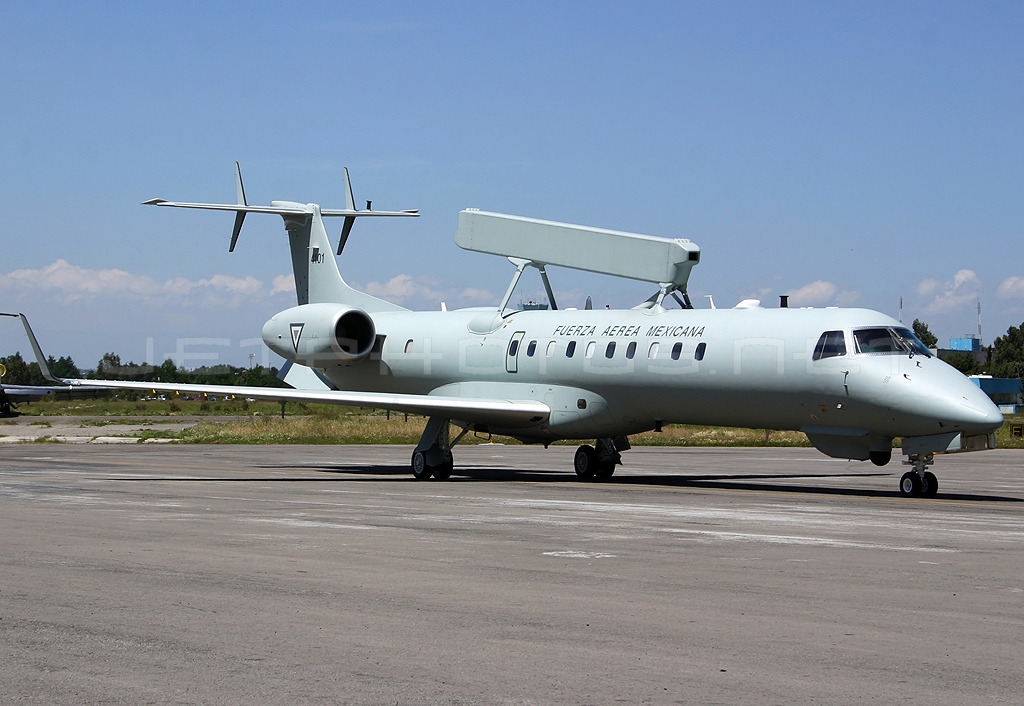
844 153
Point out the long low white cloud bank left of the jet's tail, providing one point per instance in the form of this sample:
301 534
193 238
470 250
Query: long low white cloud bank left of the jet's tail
68 283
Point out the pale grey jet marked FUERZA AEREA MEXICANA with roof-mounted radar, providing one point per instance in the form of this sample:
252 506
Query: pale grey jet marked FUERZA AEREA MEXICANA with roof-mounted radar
851 380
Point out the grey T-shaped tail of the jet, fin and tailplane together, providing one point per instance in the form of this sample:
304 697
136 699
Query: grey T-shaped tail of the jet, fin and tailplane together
318 279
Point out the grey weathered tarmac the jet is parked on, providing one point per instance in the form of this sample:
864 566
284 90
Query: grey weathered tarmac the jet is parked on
323 575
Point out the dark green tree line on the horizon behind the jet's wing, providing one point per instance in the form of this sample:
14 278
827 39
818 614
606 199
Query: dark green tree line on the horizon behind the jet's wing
111 368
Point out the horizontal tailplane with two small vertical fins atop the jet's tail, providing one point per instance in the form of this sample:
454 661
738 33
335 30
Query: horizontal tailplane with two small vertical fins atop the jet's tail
290 211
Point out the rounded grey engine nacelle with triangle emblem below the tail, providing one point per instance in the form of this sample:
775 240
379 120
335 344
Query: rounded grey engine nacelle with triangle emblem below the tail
319 336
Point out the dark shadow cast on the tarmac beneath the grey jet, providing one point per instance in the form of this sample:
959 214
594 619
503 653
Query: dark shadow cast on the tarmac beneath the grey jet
753 482
